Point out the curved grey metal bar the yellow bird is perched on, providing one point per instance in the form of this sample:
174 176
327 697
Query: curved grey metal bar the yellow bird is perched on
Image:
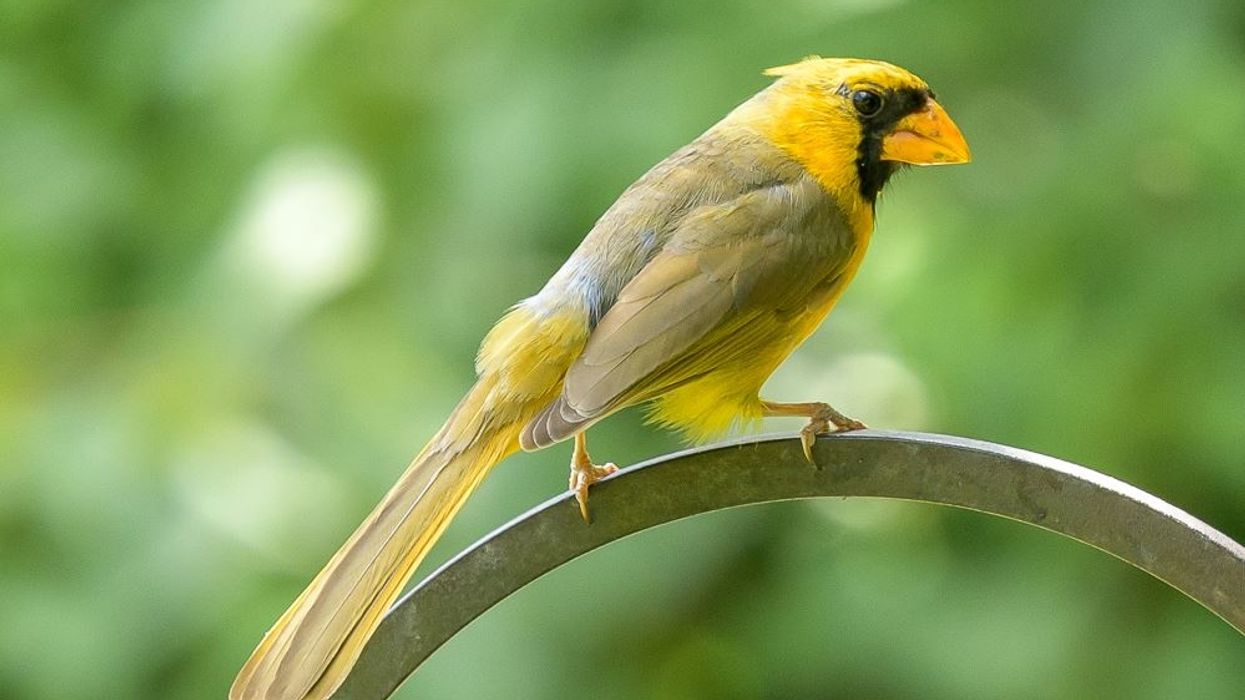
1024 486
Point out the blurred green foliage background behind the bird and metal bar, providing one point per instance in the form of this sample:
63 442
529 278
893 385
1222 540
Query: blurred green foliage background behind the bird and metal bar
248 250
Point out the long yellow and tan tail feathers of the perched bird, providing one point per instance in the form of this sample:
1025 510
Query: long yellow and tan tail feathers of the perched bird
312 648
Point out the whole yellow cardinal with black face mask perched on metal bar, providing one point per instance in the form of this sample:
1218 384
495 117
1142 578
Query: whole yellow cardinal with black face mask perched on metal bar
688 293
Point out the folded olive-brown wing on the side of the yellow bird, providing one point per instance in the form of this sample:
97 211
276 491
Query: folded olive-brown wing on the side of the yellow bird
692 307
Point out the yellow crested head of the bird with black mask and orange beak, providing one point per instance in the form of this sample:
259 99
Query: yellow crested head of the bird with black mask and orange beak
852 124
